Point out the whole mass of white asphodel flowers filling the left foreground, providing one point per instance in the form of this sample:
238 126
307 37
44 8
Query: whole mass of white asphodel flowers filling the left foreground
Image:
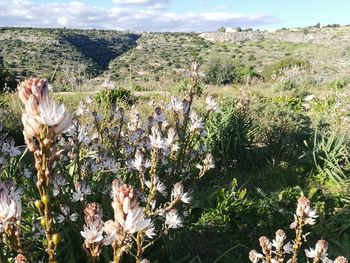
145 163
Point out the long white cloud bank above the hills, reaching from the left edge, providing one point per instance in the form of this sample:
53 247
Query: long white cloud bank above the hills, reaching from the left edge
80 15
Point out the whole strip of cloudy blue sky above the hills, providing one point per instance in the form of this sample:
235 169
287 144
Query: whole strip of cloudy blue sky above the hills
173 15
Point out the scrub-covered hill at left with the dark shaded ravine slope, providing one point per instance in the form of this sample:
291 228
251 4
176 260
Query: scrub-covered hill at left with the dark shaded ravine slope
54 53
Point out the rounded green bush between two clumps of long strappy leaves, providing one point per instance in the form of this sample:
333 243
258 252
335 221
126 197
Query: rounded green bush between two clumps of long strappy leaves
281 129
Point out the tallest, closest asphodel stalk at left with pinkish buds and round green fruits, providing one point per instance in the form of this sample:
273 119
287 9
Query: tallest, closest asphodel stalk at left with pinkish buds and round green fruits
43 120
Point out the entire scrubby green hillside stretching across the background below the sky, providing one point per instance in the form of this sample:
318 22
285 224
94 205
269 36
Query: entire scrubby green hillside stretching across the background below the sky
70 58
